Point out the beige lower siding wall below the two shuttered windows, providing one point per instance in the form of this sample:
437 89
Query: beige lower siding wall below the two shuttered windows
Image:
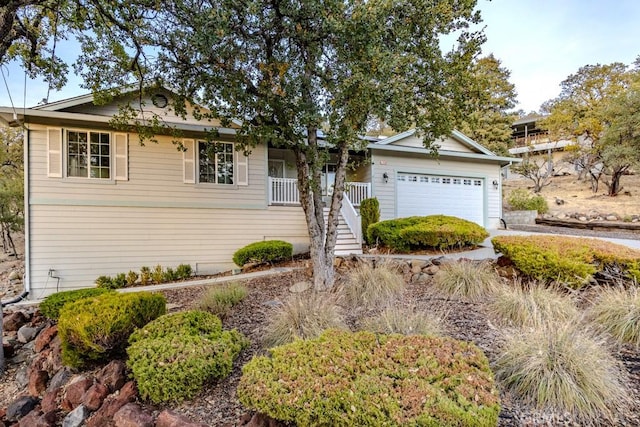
83 242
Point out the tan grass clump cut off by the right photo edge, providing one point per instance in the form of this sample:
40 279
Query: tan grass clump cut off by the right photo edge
617 311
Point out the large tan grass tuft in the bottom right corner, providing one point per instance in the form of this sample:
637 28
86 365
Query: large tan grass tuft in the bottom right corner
562 367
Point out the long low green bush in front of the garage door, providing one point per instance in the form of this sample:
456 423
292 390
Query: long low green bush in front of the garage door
423 232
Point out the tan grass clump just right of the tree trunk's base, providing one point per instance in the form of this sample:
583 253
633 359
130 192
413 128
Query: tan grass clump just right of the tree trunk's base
372 286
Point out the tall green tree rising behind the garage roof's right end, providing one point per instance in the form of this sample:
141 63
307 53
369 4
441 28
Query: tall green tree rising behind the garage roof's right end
490 98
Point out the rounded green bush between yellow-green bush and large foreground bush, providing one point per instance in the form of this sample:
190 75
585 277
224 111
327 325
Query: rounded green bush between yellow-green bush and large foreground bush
173 357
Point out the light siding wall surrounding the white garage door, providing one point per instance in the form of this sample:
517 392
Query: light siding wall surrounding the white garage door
392 164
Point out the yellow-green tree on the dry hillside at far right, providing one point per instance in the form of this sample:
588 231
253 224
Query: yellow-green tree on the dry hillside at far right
580 113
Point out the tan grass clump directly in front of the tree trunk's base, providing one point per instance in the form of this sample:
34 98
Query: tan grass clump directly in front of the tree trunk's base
302 317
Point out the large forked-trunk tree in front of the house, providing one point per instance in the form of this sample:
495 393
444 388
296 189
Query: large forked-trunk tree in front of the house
287 69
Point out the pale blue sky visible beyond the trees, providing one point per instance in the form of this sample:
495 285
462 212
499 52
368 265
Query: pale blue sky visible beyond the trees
541 42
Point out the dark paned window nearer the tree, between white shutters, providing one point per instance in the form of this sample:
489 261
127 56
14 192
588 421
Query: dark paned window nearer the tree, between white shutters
215 162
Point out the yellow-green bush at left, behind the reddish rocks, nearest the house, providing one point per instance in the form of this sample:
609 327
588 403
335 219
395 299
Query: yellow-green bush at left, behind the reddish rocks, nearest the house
98 328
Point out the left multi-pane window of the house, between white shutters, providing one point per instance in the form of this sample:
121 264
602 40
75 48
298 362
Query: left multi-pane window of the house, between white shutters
88 154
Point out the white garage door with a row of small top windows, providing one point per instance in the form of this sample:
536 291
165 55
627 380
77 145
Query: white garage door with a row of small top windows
422 195
